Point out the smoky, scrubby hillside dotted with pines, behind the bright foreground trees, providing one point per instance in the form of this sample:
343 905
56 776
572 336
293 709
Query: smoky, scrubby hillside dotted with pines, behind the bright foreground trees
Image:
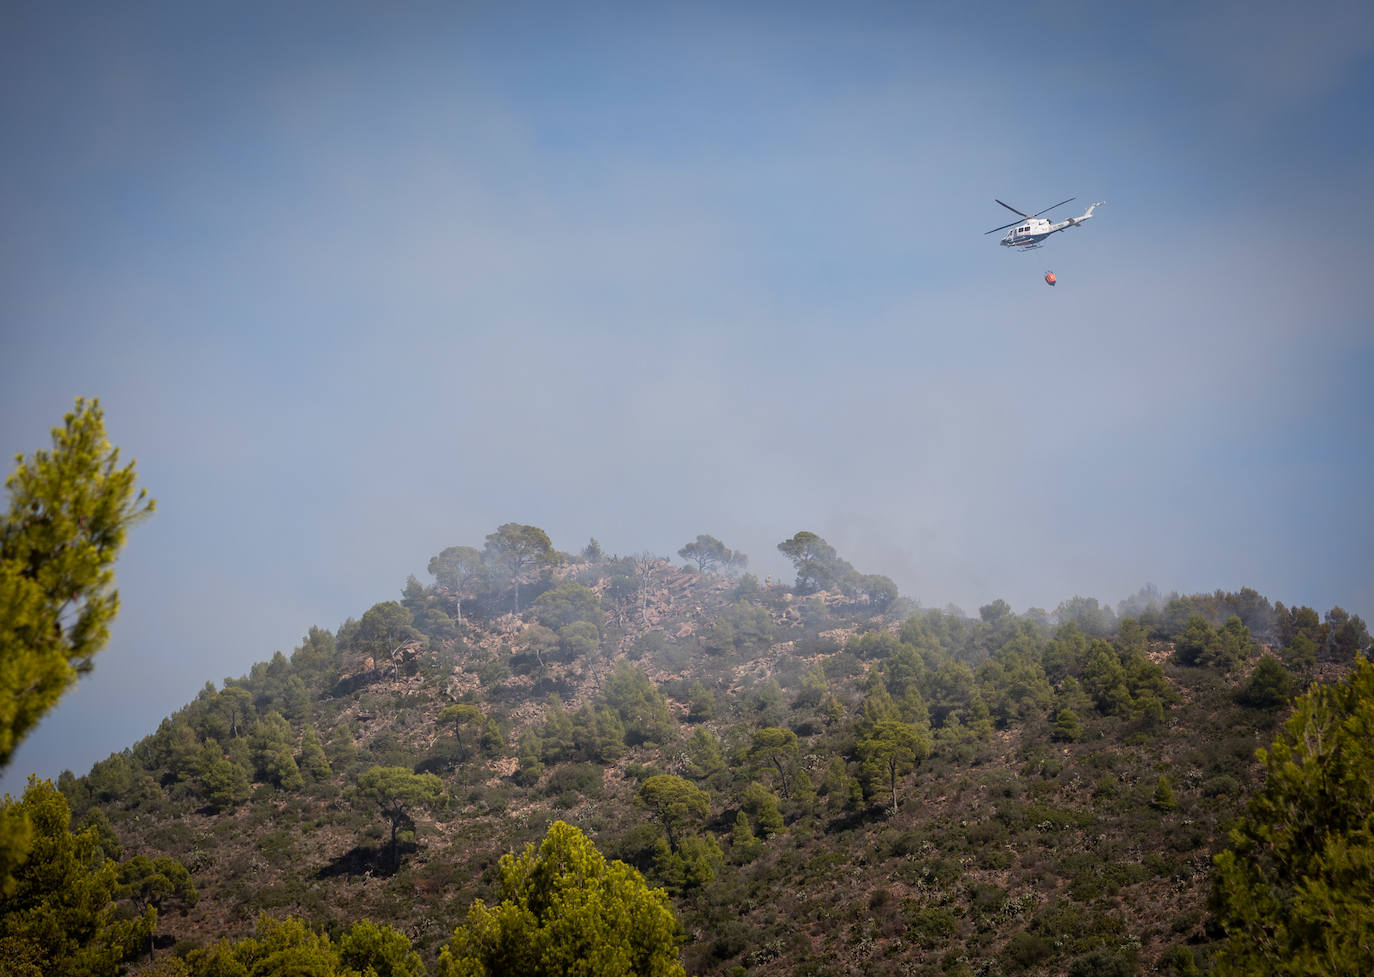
825 777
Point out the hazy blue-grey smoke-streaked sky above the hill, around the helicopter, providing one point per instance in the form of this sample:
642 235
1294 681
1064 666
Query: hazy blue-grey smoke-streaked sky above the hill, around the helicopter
361 281
